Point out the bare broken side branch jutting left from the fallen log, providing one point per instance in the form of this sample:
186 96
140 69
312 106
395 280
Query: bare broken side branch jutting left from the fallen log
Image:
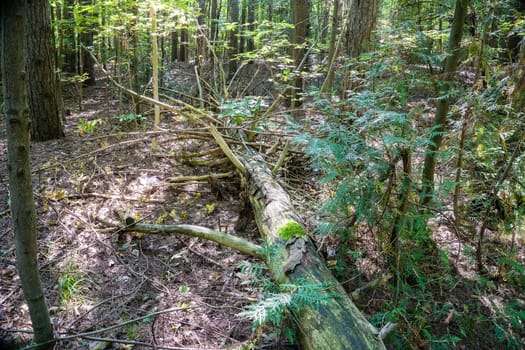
231 241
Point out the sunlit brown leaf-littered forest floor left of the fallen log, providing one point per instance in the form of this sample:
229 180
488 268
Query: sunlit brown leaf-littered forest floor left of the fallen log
95 277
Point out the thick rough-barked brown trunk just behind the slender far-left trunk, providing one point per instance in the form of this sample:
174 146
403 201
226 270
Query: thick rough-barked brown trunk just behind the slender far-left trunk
45 103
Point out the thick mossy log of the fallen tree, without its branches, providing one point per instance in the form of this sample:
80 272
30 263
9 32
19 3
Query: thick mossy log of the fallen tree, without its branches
336 325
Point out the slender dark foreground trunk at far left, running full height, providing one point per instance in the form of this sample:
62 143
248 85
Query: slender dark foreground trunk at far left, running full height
14 81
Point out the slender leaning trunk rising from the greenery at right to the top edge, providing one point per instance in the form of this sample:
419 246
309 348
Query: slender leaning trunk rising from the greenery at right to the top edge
443 104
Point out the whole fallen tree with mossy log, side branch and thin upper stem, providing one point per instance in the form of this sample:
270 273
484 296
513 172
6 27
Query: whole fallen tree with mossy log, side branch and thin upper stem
337 325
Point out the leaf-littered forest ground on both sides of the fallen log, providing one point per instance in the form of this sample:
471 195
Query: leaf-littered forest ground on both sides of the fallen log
95 277
